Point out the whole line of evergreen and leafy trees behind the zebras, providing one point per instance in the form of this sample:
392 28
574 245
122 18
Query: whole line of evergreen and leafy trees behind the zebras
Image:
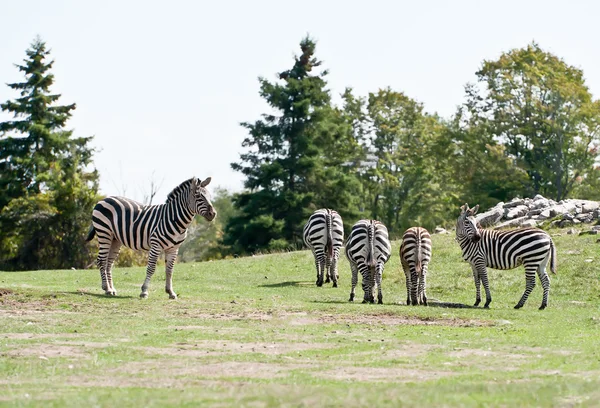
528 125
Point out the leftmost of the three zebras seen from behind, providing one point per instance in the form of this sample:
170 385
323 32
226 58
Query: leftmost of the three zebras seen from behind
324 235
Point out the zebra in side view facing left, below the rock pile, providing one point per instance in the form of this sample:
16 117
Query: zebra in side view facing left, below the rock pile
530 247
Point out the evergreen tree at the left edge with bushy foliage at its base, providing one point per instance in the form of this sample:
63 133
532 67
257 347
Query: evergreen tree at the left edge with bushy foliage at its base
47 193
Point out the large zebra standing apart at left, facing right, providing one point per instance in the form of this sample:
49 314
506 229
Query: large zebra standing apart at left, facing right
120 221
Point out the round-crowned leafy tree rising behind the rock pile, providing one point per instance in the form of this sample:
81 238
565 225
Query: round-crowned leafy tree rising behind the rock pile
540 109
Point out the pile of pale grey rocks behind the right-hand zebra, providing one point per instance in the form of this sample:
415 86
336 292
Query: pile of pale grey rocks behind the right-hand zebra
532 212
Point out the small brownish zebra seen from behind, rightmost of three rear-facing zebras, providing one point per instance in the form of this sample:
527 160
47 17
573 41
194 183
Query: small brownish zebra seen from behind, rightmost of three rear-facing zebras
415 254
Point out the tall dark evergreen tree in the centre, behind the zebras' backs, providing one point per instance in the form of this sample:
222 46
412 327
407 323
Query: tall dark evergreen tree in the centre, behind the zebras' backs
294 163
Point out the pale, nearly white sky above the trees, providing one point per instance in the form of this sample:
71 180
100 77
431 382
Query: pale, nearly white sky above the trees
163 85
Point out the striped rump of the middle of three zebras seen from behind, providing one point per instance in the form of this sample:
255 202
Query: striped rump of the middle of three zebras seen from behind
368 243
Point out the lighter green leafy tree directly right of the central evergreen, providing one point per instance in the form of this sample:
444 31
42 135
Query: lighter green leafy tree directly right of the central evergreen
409 183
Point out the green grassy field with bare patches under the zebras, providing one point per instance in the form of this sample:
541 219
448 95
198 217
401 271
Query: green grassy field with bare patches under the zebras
257 332
